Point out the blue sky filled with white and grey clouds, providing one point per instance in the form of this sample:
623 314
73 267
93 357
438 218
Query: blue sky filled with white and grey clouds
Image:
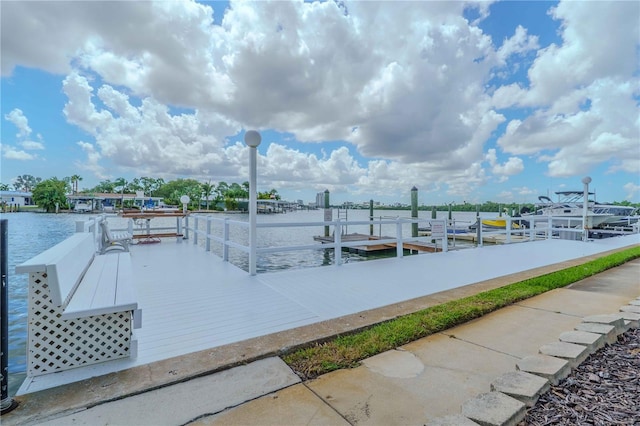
466 101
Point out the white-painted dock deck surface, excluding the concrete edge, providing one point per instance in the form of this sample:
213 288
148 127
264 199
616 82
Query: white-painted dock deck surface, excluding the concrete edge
191 300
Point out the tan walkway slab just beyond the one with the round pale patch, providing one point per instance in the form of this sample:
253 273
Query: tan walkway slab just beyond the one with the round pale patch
515 330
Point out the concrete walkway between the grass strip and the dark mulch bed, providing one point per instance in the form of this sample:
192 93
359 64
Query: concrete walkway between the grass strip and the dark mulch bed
488 369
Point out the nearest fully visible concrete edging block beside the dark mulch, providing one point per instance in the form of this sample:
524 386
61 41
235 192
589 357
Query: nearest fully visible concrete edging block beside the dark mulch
494 408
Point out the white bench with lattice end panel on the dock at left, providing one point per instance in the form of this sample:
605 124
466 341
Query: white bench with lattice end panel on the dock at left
82 307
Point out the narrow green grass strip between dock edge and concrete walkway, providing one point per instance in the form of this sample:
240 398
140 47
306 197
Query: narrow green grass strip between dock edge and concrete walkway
347 350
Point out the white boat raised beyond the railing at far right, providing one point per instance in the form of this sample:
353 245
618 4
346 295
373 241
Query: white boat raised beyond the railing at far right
568 211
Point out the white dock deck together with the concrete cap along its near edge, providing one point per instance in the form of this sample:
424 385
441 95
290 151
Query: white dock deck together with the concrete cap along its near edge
198 310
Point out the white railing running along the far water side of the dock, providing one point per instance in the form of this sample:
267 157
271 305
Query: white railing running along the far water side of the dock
210 230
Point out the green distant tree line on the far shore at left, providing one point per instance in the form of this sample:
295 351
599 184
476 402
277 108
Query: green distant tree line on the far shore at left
51 192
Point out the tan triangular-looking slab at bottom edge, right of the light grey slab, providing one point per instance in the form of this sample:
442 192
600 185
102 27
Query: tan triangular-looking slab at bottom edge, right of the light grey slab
295 405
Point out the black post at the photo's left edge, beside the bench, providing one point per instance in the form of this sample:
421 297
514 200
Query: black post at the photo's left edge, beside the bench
7 404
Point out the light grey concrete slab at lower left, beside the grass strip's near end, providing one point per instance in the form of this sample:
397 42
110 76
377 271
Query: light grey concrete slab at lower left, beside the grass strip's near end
183 402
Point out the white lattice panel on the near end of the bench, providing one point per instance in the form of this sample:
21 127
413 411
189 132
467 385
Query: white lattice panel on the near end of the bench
57 344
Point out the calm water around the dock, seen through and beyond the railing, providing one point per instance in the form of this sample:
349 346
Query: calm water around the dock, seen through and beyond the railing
32 233
